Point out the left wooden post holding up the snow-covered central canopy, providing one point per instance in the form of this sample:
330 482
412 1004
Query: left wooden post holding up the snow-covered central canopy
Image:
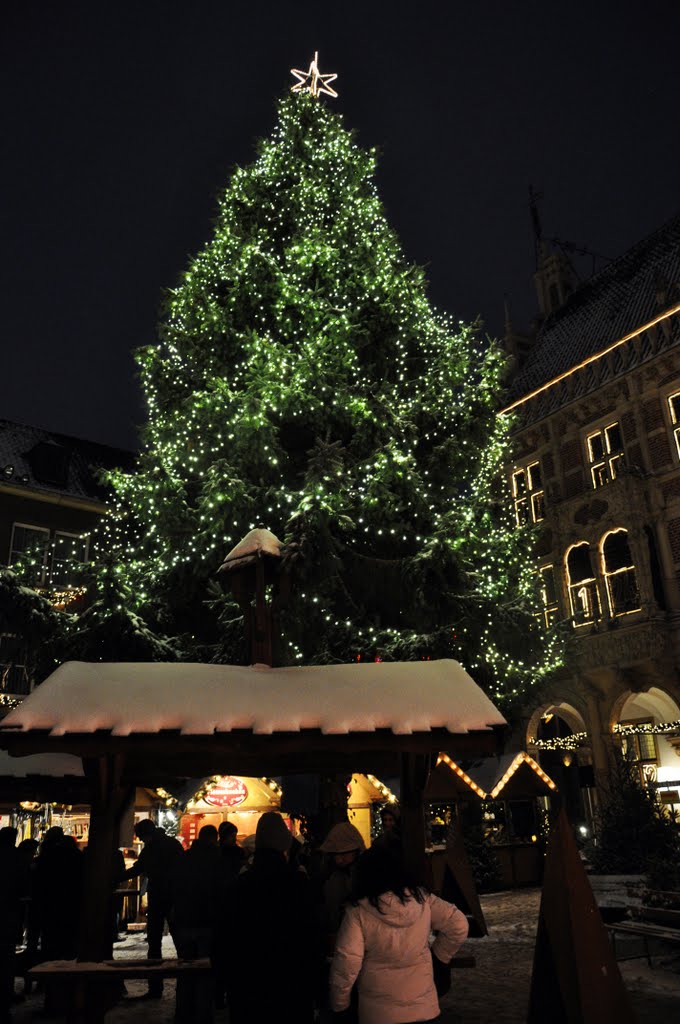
110 798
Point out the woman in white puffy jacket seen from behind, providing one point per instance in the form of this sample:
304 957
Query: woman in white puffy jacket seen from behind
385 946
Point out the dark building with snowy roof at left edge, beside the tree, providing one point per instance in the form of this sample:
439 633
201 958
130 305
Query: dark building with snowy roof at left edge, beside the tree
51 500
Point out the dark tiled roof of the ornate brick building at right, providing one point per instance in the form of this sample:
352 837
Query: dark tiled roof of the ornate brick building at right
613 304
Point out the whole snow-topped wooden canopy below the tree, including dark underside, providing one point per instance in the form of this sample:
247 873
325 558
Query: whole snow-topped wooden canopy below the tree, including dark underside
175 720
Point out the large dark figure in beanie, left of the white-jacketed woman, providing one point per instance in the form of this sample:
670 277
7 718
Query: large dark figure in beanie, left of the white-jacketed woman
271 919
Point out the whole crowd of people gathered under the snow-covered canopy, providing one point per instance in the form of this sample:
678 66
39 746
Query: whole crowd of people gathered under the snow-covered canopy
345 935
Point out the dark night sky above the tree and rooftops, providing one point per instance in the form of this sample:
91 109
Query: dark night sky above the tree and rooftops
121 122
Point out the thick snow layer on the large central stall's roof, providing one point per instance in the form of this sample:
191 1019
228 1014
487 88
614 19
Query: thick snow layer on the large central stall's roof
123 699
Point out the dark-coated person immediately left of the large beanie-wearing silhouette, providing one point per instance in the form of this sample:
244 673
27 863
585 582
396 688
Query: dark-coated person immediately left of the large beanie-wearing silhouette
196 883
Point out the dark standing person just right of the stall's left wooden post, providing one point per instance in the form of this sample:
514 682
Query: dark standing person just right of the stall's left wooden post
156 862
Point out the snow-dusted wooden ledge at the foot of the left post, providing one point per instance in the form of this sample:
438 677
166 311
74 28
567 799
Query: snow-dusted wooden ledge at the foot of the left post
87 983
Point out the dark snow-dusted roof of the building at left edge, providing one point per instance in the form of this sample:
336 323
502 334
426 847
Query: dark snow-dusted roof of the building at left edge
56 464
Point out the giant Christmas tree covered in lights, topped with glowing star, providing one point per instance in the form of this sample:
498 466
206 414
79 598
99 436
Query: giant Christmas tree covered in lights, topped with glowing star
303 382
